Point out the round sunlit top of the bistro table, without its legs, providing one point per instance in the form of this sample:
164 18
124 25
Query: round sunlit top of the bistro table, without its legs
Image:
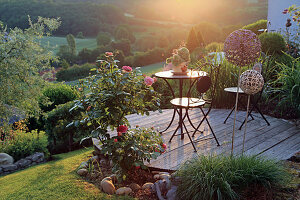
189 75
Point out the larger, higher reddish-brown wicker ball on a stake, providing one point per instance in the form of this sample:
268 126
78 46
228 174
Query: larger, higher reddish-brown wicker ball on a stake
242 47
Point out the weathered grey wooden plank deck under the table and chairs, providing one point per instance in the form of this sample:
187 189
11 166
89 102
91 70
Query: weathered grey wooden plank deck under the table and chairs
280 140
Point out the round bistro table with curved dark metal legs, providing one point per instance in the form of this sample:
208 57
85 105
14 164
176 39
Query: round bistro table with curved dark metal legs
191 75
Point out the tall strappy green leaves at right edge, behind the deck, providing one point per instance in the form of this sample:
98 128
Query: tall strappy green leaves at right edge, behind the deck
286 87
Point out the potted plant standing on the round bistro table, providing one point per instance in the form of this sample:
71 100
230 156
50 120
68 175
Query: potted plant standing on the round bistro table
179 60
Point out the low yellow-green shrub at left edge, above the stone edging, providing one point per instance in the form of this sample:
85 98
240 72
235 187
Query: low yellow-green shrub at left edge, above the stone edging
20 144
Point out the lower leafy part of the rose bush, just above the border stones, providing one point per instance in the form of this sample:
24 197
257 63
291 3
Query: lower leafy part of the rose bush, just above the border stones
130 150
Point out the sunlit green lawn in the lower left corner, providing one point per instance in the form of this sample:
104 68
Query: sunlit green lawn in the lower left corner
53 180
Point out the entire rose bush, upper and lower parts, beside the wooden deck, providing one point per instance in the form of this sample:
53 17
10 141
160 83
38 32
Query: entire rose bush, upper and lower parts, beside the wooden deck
105 100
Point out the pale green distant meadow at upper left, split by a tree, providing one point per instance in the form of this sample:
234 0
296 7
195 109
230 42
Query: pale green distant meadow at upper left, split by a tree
55 42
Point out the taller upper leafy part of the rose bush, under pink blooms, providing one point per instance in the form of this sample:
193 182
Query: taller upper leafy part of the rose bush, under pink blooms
112 94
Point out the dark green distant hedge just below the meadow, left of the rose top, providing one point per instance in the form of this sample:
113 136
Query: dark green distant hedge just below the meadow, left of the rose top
75 72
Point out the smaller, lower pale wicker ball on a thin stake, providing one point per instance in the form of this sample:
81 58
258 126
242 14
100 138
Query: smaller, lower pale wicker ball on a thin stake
251 81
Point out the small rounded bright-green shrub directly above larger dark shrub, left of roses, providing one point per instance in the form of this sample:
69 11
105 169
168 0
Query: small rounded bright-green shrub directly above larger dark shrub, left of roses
57 94
